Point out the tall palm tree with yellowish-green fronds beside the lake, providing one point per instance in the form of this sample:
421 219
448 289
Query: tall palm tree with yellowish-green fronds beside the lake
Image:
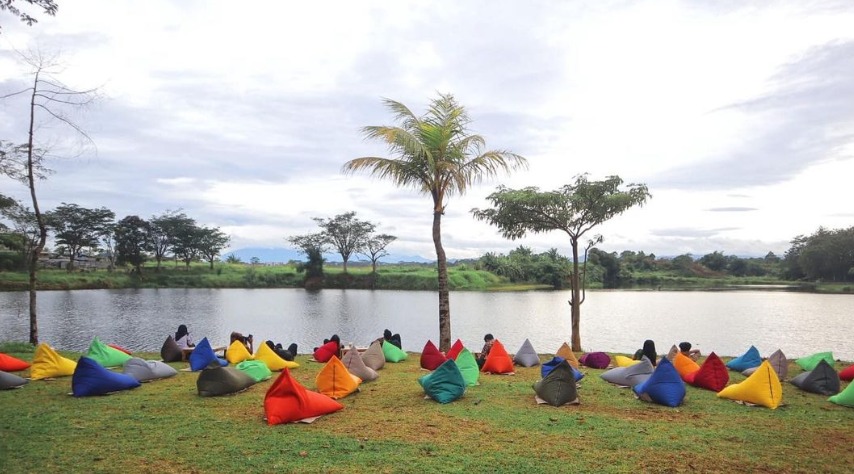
436 155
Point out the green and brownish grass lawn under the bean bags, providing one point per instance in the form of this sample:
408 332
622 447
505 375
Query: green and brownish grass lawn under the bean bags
164 426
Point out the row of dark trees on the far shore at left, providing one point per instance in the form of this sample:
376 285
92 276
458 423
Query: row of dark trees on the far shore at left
80 232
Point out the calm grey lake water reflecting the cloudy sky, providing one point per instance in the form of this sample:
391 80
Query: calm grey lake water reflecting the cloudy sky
613 321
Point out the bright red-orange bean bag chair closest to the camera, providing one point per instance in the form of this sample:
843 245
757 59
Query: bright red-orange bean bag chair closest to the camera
287 401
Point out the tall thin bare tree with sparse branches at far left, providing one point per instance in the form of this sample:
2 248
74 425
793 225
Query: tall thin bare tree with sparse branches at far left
48 98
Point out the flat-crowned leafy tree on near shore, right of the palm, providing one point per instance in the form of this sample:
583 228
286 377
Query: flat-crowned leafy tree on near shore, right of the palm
574 209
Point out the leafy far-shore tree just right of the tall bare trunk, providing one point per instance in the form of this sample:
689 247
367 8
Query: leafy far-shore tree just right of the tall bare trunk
78 227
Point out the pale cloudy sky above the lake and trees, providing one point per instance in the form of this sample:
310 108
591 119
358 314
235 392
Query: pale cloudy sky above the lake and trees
737 115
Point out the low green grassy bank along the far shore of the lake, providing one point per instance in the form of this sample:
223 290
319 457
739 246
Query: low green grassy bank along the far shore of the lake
462 277
